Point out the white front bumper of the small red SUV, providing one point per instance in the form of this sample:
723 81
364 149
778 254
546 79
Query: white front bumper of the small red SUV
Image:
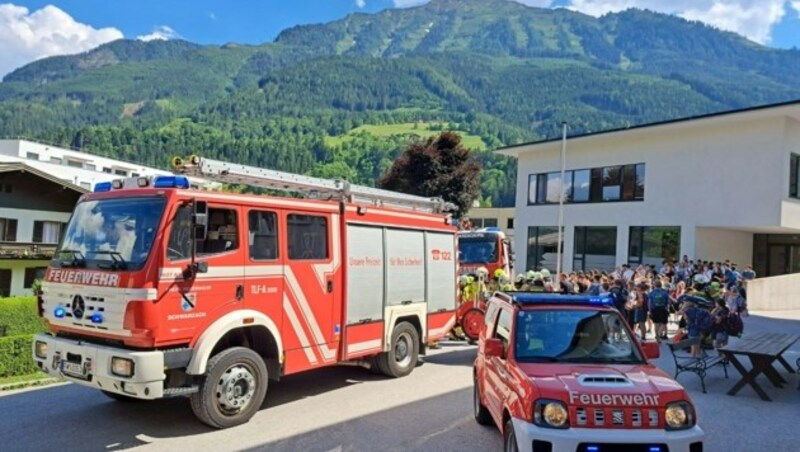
570 439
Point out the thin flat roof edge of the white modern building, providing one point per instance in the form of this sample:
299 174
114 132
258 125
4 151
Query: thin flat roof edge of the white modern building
787 109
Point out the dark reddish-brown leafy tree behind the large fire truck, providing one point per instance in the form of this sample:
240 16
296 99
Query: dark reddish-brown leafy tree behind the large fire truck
439 166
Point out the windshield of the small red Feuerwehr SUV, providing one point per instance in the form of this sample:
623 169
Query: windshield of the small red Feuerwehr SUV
575 336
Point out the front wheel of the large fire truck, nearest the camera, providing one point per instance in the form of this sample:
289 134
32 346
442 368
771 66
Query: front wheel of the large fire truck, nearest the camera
233 388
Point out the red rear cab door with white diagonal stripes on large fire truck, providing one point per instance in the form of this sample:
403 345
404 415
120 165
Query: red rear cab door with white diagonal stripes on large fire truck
312 304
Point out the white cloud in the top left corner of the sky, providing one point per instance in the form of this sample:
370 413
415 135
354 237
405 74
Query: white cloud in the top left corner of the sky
27 36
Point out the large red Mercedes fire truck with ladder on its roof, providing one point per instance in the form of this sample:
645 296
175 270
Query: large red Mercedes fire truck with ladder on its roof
159 290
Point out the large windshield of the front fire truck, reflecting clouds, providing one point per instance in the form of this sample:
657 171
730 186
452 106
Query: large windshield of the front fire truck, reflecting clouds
114 234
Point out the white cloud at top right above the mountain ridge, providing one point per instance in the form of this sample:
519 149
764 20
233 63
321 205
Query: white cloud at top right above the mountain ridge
751 18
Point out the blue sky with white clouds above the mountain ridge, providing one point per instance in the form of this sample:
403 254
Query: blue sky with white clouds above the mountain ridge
32 29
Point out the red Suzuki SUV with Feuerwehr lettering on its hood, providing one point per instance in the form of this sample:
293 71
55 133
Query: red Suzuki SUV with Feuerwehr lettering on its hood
564 373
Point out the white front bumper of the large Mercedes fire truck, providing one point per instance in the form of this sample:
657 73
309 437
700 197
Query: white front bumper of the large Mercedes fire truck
147 381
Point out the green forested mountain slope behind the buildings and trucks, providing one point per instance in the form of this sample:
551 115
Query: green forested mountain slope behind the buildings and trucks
344 99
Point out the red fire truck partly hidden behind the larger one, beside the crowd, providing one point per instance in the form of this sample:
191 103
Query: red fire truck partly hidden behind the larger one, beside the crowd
488 248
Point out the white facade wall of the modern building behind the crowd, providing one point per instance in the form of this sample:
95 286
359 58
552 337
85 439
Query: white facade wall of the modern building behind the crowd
719 172
